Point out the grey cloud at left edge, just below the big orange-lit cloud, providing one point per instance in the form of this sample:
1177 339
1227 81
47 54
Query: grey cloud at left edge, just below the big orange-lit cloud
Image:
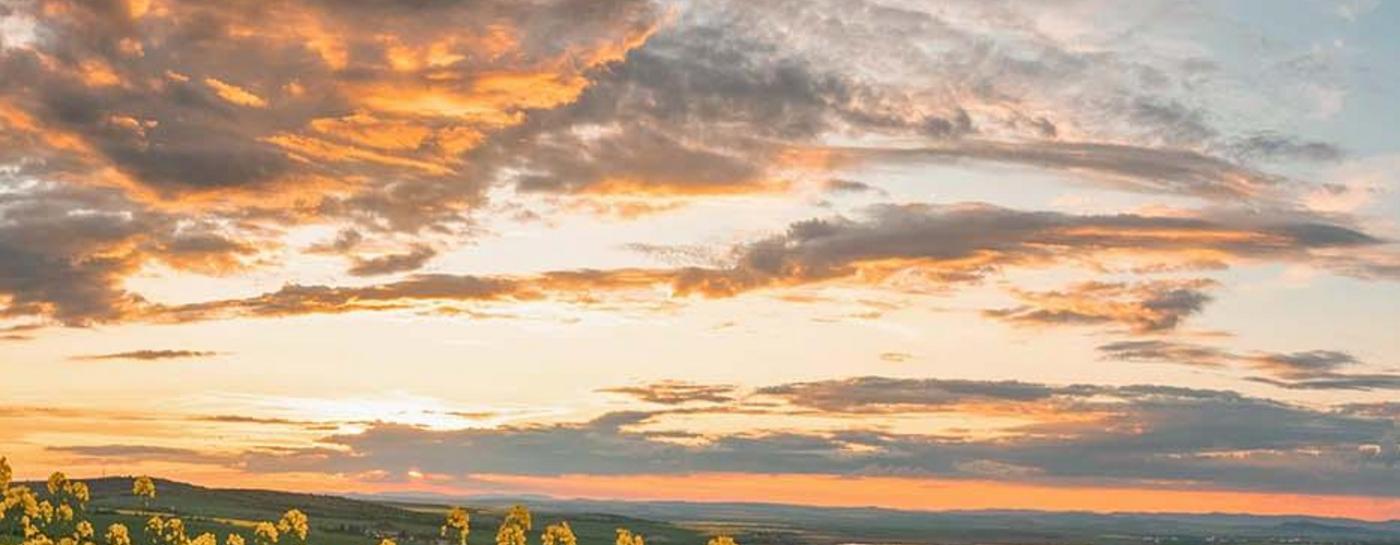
65 253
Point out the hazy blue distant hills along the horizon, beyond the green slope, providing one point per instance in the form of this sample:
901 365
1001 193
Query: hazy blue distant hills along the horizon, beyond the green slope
887 526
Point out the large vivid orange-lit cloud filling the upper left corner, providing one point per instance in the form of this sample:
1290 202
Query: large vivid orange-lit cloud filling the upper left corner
222 103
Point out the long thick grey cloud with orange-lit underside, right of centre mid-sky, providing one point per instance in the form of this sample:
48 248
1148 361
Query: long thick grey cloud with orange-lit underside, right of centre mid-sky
982 239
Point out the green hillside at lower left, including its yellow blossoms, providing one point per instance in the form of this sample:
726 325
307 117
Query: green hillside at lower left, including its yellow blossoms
139 511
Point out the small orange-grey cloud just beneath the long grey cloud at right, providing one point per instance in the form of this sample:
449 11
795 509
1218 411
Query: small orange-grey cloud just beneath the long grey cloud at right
1146 308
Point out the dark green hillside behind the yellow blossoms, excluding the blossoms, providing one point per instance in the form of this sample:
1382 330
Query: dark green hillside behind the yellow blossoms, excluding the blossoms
334 520
